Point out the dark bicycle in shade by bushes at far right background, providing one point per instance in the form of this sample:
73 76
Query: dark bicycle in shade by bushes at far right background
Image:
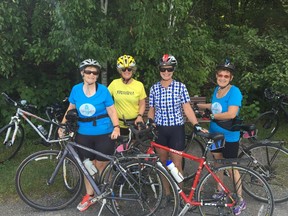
268 122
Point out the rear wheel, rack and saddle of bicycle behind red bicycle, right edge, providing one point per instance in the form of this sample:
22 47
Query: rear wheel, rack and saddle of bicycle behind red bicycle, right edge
269 159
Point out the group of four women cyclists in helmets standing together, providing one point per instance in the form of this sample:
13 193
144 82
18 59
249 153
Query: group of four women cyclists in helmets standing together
102 112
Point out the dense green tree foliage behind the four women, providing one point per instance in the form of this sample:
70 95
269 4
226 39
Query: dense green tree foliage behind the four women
43 42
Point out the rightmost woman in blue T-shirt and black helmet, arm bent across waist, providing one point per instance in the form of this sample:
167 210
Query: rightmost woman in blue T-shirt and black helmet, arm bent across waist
225 106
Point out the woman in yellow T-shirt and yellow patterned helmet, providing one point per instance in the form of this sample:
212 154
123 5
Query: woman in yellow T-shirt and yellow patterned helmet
129 94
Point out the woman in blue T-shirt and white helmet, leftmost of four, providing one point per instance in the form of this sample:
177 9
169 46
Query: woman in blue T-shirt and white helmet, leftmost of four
97 120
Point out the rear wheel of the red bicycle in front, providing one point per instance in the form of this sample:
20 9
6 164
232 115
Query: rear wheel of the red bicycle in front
249 180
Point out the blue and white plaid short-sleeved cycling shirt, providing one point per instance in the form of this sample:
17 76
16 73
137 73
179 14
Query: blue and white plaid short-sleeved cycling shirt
168 102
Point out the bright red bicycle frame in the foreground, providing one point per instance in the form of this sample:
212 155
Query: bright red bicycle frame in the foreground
202 164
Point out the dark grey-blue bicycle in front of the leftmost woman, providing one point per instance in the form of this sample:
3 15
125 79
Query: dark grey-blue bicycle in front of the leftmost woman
131 187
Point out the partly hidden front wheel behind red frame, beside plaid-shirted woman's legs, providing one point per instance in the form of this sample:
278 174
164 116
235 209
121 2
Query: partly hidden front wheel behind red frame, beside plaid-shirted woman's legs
195 147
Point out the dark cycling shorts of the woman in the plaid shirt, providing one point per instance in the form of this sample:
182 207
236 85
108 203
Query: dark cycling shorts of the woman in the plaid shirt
172 137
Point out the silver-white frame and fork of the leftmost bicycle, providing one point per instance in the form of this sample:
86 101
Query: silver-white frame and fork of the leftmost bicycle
25 114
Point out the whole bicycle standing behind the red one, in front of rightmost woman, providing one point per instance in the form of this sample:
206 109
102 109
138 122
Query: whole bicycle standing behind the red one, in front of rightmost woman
267 157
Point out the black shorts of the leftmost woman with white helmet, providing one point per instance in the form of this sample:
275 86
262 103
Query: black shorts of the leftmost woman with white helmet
101 143
